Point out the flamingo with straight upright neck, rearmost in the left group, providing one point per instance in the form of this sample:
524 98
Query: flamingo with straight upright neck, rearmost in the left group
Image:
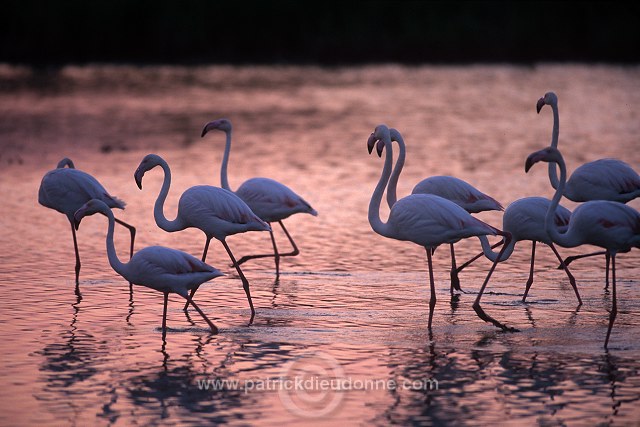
269 199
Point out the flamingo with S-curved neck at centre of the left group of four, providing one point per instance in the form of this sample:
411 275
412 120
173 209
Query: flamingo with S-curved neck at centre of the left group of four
219 213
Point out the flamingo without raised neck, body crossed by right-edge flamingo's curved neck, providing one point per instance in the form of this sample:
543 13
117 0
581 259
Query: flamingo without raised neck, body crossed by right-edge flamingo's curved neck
524 219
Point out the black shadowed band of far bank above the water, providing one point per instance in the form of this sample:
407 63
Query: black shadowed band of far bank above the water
348 32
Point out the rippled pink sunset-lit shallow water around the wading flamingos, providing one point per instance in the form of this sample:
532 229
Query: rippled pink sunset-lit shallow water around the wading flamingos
351 309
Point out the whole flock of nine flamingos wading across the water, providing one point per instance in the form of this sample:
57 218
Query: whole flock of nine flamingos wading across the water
438 212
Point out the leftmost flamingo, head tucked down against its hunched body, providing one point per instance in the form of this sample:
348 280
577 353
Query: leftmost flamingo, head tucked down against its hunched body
67 189
